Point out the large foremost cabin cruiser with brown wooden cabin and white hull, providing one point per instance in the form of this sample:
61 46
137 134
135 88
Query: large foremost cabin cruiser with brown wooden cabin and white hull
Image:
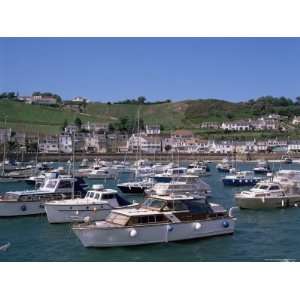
158 220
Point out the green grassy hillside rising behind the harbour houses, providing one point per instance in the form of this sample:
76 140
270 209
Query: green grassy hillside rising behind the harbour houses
173 115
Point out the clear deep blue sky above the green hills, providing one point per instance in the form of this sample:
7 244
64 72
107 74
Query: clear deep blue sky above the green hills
111 69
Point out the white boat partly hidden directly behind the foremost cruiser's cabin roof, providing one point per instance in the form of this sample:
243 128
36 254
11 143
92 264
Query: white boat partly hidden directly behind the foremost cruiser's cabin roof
185 184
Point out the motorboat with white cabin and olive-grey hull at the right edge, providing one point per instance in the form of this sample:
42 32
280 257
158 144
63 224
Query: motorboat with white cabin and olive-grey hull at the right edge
267 195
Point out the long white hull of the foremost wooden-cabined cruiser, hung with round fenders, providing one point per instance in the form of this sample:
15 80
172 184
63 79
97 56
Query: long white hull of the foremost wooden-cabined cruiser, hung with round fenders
157 233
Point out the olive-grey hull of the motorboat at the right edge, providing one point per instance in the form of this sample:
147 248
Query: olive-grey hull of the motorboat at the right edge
270 202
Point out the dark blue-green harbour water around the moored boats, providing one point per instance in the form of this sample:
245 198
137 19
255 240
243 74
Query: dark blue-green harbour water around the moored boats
259 236
